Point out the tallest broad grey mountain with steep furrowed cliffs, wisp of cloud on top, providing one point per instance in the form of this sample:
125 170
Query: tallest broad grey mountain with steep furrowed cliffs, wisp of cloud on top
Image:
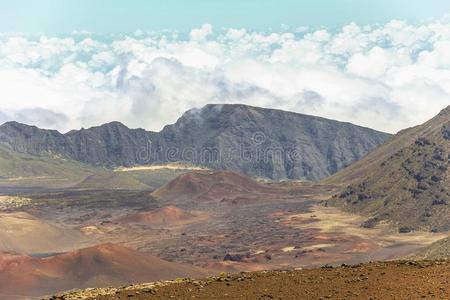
269 143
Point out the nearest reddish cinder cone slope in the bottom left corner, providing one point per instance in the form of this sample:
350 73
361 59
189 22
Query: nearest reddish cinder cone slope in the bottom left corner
98 266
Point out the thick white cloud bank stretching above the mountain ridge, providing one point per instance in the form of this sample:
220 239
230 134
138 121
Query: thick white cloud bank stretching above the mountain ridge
387 77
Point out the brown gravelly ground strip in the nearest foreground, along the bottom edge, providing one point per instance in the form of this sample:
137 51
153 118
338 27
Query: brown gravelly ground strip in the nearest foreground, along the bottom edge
381 280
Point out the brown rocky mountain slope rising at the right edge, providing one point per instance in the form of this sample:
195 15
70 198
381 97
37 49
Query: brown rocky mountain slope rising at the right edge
405 182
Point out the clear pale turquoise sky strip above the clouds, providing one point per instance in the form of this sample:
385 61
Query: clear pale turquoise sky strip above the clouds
120 16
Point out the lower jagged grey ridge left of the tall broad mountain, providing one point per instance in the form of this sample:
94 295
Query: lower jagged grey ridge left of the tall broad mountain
108 145
